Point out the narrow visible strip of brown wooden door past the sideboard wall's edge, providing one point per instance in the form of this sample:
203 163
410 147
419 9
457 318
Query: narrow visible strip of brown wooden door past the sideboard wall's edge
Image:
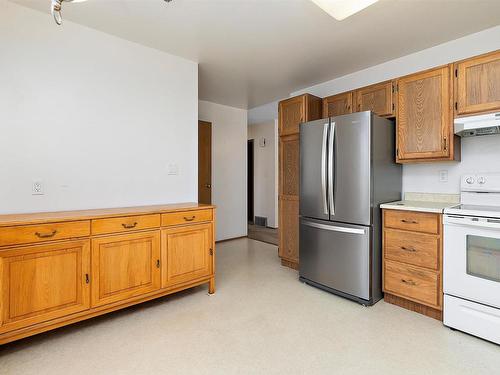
204 162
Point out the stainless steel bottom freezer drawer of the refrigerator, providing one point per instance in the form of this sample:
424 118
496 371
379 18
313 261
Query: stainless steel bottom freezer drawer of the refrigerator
336 255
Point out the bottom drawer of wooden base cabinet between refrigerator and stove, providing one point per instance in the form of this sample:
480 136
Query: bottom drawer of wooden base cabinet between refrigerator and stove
411 282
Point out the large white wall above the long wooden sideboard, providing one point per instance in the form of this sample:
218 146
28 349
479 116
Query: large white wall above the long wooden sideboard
96 118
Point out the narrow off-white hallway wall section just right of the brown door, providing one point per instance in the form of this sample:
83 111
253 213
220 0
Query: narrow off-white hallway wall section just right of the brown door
229 167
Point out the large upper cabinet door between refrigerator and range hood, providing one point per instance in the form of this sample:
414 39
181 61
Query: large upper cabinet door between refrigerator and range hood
424 120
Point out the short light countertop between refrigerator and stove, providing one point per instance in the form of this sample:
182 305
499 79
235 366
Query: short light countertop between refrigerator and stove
424 202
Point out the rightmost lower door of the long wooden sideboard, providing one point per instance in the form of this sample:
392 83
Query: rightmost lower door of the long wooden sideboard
187 254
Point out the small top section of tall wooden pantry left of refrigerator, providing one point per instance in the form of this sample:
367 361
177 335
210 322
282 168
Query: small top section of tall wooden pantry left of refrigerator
296 110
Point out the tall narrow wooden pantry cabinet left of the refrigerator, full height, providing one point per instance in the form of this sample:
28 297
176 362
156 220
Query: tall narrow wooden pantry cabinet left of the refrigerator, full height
292 112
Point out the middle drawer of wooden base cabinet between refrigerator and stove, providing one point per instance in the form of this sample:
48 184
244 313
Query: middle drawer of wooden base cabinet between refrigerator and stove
413 248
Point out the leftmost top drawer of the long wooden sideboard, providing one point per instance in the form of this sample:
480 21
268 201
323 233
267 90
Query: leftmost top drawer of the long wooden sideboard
24 234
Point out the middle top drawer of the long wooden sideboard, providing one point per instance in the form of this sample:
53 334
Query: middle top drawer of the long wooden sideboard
125 224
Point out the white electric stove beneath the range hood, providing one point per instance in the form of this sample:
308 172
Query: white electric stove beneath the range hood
471 265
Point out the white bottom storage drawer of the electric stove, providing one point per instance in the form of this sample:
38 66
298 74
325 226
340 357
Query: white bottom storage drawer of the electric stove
478 320
